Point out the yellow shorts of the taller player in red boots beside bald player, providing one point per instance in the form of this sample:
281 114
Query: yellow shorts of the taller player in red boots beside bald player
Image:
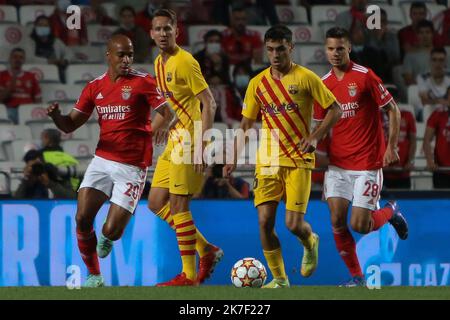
178 178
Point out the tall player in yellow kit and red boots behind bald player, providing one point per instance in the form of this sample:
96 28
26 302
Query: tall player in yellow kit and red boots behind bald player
176 176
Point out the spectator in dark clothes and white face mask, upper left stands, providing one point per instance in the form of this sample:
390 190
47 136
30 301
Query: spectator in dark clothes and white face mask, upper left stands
46 47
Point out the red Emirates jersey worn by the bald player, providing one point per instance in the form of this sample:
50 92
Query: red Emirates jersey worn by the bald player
123 115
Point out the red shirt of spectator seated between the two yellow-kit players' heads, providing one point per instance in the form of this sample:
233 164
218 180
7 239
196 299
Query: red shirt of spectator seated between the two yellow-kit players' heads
240 48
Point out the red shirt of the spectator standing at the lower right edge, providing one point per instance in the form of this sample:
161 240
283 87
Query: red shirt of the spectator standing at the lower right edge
440 122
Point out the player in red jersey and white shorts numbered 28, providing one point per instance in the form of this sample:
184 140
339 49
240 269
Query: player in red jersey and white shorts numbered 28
357 151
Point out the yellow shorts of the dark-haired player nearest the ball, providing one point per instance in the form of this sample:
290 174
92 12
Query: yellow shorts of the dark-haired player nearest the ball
293 185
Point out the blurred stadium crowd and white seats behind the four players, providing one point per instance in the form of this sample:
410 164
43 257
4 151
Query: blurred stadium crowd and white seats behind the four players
42 61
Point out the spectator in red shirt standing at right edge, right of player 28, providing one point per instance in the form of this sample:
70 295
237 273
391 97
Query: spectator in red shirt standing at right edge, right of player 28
438 126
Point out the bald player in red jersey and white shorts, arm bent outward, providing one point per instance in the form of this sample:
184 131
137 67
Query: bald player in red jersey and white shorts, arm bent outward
123 99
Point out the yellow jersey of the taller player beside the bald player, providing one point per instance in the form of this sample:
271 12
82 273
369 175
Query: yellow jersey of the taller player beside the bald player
180 80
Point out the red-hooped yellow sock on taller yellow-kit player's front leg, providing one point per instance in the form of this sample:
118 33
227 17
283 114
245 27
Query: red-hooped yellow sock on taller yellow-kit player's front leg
187 239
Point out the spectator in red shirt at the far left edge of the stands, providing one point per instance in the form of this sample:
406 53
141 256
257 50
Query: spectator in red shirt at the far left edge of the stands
18 86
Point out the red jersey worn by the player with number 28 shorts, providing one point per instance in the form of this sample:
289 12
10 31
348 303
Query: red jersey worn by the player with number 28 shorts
357 141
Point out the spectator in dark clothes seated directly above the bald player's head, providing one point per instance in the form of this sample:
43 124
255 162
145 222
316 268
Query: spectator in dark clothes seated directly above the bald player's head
140 39
